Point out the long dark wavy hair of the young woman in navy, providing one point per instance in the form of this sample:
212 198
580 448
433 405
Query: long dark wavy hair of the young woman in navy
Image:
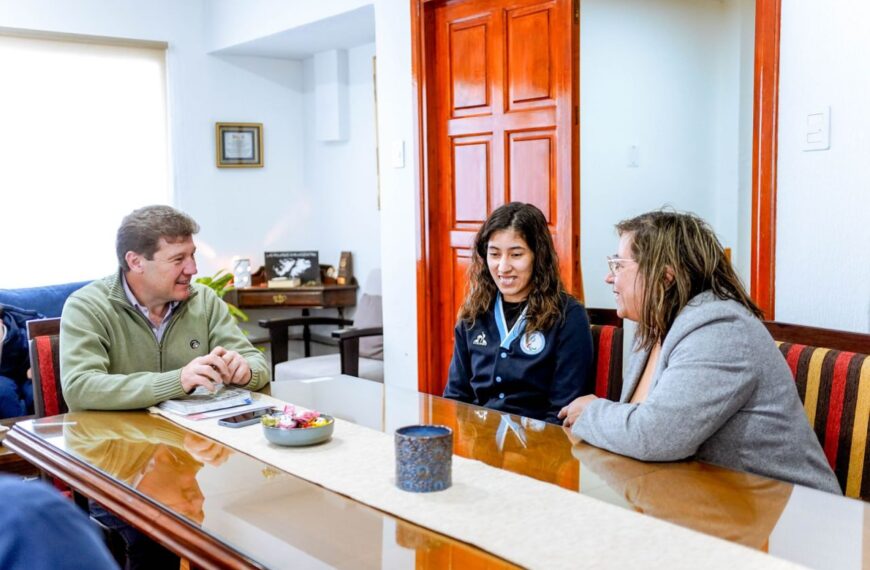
545 297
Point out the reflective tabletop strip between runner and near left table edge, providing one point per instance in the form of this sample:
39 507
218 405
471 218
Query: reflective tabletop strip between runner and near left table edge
259 510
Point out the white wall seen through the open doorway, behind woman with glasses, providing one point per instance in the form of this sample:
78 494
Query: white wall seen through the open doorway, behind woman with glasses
670 77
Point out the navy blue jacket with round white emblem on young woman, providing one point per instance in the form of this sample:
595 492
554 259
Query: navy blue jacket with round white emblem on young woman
534 376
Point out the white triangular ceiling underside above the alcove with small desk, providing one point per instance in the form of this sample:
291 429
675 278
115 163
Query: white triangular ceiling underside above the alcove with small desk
346 30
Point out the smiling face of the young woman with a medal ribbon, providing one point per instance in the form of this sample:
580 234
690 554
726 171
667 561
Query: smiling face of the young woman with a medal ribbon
510 263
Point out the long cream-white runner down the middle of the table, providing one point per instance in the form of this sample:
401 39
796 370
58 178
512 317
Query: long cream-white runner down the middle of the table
528 522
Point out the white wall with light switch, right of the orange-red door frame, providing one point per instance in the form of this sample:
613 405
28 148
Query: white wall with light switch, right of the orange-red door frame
823 197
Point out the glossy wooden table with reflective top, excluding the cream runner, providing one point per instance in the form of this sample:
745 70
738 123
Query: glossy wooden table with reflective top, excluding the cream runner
221 508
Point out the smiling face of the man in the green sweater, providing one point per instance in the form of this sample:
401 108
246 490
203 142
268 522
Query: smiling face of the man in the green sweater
167 276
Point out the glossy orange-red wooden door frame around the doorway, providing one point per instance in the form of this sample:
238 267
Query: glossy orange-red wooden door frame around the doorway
764 152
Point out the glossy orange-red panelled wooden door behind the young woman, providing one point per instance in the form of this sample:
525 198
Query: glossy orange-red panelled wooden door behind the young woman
500 83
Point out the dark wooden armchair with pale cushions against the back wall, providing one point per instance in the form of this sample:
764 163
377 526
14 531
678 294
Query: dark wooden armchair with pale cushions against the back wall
360 348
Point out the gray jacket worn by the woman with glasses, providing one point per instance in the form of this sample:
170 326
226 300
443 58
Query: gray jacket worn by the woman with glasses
722 393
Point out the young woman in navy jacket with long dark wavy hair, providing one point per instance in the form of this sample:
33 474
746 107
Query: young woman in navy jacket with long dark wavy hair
522 344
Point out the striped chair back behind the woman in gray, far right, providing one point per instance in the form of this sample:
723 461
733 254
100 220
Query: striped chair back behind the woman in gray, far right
835 389
